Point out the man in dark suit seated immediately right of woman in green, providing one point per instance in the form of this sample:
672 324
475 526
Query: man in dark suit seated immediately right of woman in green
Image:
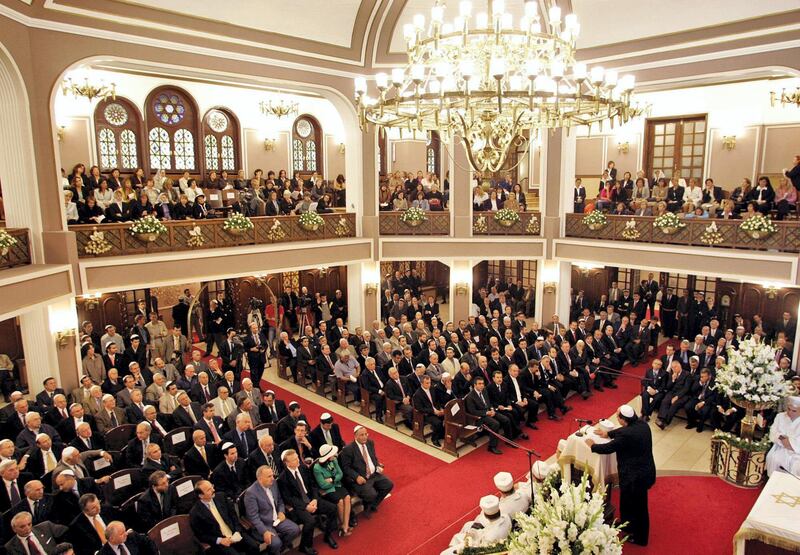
363 473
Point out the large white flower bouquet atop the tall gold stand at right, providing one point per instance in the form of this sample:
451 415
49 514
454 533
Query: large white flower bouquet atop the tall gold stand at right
752 375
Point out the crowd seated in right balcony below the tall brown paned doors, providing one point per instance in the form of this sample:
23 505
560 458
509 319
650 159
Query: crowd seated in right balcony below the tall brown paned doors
688 198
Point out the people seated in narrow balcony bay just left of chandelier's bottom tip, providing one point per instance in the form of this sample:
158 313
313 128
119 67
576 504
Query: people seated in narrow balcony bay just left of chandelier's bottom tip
421 190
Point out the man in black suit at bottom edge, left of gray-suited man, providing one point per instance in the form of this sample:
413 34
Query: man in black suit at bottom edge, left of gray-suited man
213 512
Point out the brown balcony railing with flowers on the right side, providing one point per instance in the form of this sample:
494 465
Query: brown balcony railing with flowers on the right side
695 234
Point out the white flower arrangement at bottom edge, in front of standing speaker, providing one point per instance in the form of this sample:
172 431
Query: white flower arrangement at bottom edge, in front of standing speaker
568 519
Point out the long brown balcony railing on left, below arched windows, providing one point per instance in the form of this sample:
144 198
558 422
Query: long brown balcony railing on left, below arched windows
187 235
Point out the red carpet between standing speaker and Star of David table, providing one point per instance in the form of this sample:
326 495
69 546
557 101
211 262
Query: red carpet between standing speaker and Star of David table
694 515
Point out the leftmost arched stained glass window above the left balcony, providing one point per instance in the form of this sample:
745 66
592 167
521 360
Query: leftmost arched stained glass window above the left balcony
117 127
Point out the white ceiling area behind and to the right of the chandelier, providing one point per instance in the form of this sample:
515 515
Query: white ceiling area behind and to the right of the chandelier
610 21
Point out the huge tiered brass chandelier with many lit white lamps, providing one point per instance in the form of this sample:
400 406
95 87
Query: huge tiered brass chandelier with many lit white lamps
488 81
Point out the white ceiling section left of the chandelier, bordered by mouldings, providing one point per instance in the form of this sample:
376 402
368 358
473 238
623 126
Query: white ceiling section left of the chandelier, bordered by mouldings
328 21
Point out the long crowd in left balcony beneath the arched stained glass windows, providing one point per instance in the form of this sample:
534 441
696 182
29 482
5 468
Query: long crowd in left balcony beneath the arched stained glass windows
93 198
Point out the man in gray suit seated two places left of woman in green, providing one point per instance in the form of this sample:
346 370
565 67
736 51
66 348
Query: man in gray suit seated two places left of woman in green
264 508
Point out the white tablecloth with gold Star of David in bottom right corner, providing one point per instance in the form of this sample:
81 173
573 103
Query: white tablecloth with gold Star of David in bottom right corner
775 517
